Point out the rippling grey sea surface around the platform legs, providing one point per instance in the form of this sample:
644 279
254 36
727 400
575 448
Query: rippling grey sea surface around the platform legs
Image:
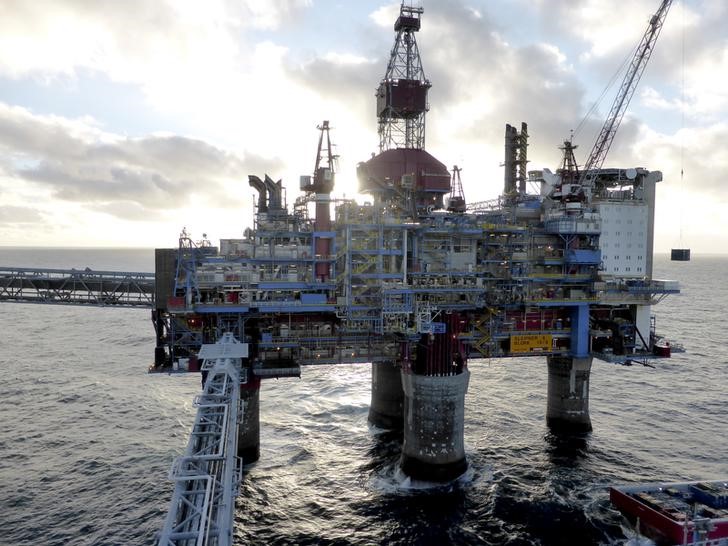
87 436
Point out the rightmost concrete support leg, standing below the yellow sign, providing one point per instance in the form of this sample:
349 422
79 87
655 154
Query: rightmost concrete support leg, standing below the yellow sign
567 408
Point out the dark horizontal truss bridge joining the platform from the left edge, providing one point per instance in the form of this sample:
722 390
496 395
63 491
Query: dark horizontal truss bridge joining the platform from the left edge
77 287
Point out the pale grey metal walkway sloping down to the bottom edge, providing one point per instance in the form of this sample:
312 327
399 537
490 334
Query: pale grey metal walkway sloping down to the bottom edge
207 477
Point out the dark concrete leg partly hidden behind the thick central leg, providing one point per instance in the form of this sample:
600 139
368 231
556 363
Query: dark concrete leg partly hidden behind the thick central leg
386 409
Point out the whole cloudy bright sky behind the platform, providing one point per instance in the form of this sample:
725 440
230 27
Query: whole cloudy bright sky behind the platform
123 122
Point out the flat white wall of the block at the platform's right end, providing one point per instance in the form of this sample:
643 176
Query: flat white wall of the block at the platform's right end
624 238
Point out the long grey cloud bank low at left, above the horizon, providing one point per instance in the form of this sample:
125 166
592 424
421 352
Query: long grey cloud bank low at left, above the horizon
122 176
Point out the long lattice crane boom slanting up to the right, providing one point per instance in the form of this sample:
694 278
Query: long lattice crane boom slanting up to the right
624 96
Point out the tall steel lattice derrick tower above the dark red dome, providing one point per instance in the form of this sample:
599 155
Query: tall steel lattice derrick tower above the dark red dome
402 93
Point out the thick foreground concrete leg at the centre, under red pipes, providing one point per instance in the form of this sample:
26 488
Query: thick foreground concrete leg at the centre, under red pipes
433 448
